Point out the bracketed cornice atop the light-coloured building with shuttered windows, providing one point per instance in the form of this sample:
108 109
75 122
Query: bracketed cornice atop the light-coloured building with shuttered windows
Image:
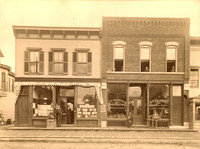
56 33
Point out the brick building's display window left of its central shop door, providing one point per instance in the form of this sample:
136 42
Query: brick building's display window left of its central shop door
117 100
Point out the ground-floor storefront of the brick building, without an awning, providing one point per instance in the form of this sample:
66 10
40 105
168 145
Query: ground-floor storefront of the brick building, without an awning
138 101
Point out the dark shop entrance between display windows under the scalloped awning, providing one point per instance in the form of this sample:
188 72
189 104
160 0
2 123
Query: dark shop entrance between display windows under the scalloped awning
66 101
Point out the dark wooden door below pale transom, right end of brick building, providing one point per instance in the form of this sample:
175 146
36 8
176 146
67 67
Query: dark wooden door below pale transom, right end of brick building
177 114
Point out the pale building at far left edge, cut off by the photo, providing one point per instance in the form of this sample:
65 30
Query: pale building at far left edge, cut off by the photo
7 95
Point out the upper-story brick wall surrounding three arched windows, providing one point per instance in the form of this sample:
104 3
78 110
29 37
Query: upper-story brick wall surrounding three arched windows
134 30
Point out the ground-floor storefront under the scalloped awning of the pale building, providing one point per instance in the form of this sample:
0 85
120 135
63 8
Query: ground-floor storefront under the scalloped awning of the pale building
63 104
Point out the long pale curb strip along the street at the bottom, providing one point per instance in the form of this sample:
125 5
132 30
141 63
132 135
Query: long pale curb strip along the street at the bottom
103 140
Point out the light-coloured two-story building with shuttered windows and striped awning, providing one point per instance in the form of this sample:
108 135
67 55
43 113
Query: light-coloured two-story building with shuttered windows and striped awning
60 68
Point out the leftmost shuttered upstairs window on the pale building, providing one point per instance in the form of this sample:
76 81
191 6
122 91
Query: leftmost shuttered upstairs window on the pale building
33 61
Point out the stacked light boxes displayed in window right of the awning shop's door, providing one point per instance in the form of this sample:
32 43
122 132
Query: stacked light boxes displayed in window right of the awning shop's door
86 111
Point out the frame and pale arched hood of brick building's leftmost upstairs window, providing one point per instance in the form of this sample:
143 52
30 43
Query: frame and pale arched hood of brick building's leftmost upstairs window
119 44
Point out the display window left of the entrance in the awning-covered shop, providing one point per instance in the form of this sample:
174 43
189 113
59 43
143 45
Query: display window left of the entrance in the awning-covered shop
42 101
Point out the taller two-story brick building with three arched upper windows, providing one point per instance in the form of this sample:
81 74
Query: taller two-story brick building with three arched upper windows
145 67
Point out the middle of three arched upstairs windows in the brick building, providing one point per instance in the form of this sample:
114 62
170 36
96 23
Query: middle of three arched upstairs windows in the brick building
145 56
